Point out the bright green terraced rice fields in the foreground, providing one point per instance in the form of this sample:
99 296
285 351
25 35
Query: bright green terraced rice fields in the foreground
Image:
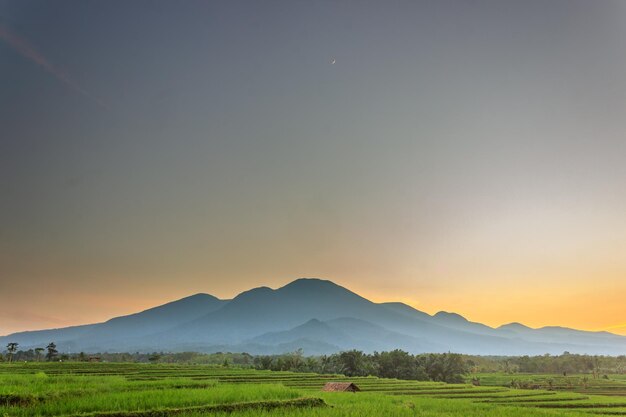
137 390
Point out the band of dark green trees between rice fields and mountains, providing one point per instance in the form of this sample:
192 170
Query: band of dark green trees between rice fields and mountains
444 367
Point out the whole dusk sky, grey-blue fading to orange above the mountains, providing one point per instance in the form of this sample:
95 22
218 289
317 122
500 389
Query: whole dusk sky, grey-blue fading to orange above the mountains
466 156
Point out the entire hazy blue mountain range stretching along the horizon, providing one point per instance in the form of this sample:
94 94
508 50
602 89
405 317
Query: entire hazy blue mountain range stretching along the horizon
318 316
